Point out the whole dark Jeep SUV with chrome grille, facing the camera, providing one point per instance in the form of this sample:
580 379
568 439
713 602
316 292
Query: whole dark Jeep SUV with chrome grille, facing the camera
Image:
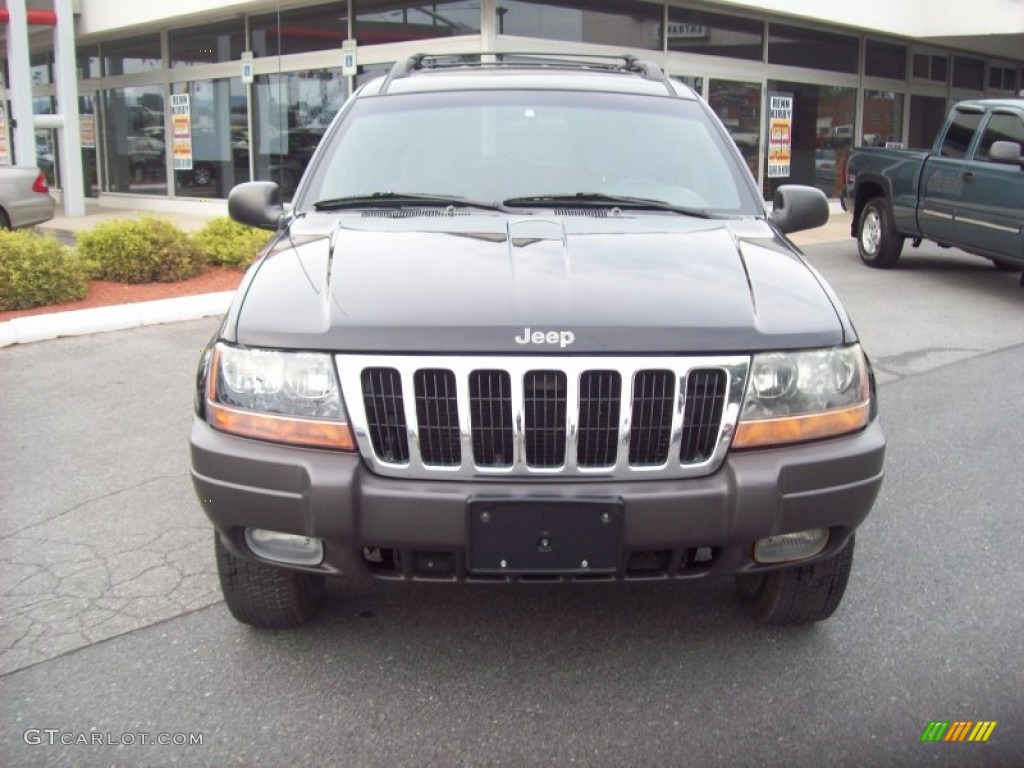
528 320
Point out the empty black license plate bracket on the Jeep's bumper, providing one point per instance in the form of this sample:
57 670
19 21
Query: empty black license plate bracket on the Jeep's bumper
544 536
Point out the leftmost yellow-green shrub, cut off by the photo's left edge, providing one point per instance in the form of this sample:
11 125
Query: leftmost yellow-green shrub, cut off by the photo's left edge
37 271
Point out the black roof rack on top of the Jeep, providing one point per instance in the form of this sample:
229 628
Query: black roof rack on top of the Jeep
591 62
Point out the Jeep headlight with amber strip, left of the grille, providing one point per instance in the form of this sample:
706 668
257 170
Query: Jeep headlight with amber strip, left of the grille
283 397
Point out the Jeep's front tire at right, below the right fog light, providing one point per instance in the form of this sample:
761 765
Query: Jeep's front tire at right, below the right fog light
800 594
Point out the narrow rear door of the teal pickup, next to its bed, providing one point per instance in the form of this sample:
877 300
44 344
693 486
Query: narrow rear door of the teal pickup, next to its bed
943 178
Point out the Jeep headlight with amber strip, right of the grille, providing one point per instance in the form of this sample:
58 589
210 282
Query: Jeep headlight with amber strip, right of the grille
795 397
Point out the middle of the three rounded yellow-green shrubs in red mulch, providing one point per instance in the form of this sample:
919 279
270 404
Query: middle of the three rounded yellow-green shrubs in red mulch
146 250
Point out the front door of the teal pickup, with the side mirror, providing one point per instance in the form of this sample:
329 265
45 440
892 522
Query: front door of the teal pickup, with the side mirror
991 214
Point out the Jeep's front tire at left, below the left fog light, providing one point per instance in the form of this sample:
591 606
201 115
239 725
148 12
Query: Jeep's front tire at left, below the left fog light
266 596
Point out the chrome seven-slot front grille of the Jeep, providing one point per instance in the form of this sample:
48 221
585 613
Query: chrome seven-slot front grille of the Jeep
494 417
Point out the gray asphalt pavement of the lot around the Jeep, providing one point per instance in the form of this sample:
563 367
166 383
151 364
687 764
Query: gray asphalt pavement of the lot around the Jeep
114 633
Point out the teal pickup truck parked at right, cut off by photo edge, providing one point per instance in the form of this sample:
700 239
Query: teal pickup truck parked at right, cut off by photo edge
967 193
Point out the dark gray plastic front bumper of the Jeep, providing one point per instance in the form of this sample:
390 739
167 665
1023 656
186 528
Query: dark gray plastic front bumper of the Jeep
416 529
